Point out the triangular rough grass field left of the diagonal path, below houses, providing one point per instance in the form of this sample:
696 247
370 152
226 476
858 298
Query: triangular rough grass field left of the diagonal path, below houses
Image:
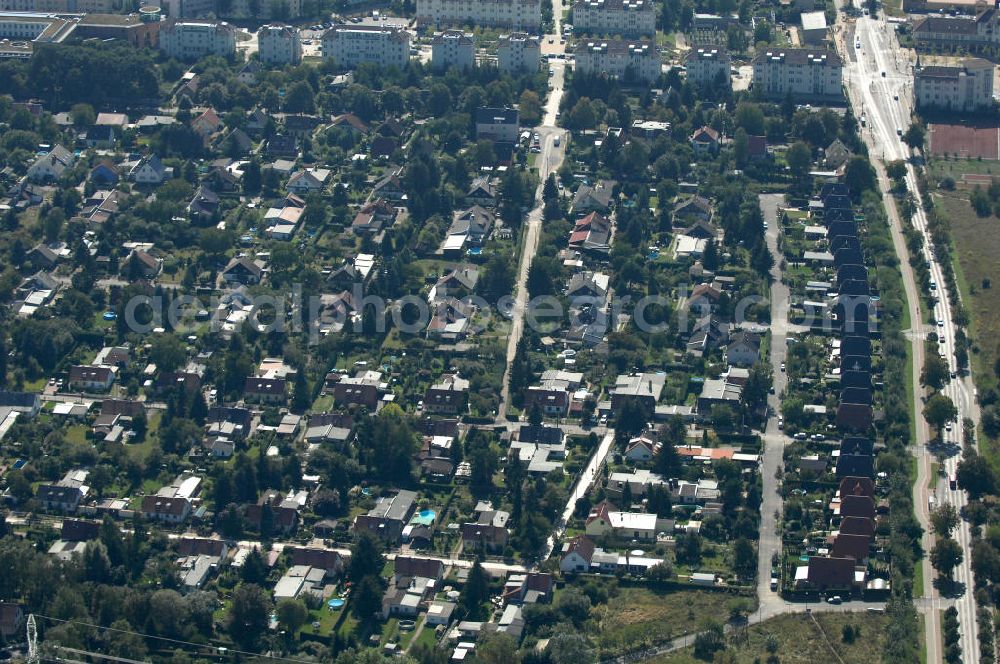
641 617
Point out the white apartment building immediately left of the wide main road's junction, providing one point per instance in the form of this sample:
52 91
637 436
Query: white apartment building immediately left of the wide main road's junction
803 73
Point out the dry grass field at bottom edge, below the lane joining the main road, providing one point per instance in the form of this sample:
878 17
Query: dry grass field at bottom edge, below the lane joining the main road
800 640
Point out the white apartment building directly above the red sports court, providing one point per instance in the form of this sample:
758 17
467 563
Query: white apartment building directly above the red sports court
964 88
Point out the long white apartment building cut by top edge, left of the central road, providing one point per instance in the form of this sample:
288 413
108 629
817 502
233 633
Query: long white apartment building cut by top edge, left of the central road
513 14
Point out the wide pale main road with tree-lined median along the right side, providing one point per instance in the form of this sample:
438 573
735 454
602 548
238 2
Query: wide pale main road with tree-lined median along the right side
879 80
